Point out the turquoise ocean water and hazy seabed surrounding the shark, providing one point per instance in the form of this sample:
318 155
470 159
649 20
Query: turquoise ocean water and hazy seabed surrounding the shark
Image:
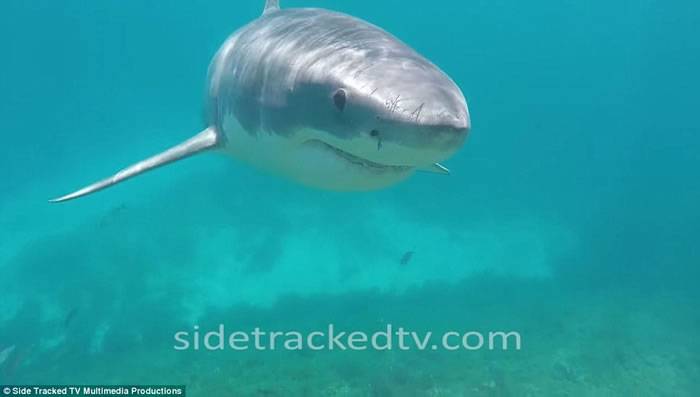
572 214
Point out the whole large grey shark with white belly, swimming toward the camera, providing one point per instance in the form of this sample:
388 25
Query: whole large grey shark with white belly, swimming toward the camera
324 99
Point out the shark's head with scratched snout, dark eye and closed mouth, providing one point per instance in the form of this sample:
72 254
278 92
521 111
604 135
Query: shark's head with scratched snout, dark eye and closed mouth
394 112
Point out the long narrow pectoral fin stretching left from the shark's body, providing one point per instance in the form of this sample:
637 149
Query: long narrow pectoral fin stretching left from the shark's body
205 140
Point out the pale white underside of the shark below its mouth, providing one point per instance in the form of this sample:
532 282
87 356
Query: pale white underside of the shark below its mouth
307 163
